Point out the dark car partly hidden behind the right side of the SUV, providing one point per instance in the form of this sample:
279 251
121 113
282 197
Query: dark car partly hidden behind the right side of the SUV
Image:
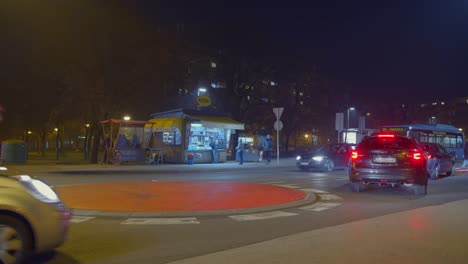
439 160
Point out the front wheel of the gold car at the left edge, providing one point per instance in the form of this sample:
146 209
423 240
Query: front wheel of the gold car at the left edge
16 242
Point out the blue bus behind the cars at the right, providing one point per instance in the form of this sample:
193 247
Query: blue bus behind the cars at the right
451 138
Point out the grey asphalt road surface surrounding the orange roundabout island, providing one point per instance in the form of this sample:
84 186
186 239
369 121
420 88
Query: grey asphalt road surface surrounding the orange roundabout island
115 240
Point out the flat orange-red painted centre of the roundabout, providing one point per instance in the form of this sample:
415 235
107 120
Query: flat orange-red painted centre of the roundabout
175 196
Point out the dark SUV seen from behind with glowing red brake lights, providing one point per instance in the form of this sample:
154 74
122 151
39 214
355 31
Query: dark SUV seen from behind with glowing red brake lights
388 159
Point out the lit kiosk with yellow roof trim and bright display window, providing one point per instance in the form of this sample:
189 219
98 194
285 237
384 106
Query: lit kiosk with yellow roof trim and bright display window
183 133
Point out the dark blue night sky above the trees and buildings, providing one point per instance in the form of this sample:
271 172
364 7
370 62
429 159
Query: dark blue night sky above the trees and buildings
419 47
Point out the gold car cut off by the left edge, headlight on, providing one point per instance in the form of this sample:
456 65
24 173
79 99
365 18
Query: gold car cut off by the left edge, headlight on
32 217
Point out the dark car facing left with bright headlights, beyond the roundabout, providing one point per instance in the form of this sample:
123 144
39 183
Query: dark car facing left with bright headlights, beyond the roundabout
326 158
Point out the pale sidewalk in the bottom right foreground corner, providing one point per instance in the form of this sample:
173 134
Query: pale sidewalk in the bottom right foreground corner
431 235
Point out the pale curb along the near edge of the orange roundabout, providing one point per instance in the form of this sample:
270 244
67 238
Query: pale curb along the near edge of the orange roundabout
310 198
